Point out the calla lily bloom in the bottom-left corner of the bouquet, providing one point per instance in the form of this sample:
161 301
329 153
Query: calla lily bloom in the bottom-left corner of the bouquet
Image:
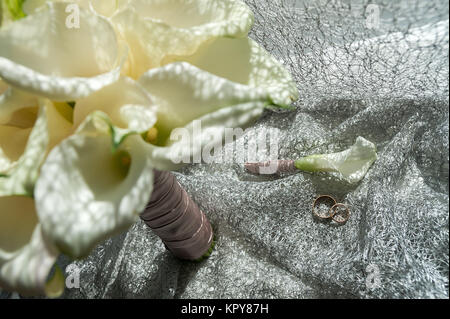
26 256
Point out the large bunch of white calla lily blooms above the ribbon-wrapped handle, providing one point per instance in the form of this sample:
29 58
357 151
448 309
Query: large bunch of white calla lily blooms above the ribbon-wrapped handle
90 92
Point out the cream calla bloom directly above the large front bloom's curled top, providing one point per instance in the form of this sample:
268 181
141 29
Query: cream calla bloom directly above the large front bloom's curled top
127 104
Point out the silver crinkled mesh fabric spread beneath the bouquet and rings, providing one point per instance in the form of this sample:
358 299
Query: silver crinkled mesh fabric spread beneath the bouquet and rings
385 80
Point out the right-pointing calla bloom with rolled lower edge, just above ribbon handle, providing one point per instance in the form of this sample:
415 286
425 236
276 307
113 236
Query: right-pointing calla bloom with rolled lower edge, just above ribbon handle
185 94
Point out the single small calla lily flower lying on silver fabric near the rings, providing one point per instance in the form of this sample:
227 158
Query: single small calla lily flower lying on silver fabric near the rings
351 164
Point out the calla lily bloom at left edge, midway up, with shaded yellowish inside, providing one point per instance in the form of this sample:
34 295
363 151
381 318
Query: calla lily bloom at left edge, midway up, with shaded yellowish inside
29 128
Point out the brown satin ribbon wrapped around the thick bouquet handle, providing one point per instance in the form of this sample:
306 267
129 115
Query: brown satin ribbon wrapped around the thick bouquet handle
177 219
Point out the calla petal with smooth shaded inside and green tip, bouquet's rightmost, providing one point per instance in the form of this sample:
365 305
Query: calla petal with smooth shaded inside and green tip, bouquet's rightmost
244 61
